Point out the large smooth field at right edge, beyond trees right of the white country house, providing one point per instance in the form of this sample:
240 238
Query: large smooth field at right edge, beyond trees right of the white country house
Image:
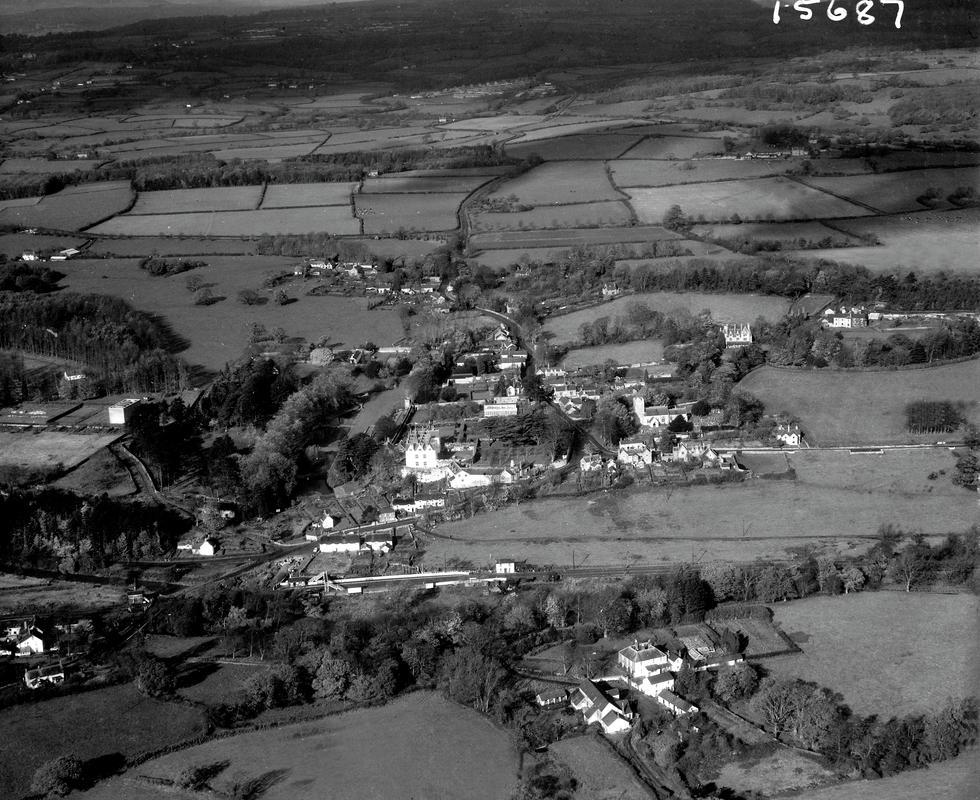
887 653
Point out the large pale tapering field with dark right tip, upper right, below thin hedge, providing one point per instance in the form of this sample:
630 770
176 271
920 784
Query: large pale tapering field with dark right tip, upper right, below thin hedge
759 198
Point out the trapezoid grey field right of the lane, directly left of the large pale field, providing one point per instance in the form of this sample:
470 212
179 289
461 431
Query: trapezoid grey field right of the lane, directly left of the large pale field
559 183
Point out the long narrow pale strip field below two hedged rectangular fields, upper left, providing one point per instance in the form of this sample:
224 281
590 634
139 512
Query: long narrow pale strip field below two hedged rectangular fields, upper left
308 219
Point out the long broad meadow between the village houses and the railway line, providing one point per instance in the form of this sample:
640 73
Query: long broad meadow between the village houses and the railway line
825 508
